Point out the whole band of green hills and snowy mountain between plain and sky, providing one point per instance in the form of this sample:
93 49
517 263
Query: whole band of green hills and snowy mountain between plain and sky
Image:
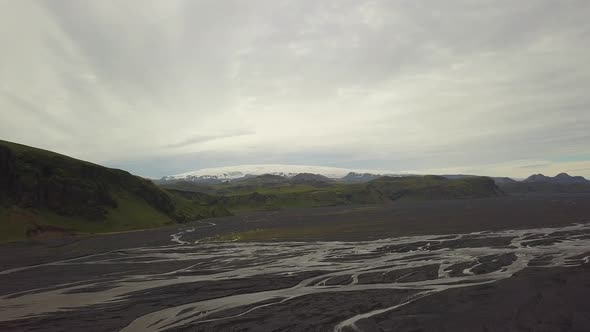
42 192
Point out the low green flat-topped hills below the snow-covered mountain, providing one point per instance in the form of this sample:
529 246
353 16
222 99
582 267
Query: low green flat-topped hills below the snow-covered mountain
256 194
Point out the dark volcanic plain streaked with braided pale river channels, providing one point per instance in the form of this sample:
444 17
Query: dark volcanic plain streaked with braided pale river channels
514 263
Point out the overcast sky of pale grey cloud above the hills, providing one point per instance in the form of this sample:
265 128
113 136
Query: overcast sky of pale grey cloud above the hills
490 87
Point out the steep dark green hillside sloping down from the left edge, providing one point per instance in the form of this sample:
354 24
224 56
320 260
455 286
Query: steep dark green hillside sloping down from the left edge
44 193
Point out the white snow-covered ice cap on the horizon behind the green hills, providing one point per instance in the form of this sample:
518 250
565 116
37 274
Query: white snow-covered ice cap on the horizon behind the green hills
224 174
